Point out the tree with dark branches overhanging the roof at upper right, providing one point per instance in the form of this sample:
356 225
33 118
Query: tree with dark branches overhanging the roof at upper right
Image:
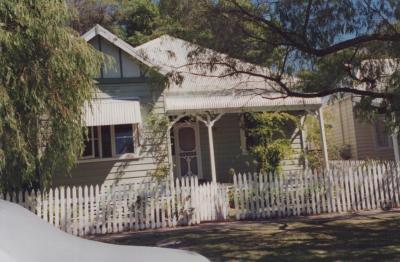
313 48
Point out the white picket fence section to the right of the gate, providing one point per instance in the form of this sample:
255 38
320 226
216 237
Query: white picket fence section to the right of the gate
351 188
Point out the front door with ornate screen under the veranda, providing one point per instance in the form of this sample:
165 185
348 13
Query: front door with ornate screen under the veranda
187 148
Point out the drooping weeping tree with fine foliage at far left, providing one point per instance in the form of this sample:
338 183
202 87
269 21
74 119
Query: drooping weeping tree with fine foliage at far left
46 75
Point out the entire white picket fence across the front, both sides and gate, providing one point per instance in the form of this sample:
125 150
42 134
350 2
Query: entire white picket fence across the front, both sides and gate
109 209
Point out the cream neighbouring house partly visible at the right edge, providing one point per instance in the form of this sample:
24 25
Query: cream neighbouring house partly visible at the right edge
359 139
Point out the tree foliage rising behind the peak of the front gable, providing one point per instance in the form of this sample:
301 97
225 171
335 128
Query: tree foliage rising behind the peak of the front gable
135 21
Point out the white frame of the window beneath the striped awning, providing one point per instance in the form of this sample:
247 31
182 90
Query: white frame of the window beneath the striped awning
130 156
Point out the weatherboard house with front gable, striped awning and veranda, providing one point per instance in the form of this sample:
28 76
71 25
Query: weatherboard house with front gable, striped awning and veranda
204 134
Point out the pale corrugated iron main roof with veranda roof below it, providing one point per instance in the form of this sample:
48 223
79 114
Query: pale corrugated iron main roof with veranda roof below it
205 88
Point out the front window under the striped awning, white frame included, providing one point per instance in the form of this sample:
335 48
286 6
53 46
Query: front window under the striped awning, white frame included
107 142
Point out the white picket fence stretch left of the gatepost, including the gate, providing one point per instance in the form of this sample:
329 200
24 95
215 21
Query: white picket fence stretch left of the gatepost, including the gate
109 209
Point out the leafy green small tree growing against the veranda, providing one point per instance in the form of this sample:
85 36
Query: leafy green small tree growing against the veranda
269 138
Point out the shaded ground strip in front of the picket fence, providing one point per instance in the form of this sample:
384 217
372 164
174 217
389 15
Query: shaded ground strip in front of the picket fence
366 236
